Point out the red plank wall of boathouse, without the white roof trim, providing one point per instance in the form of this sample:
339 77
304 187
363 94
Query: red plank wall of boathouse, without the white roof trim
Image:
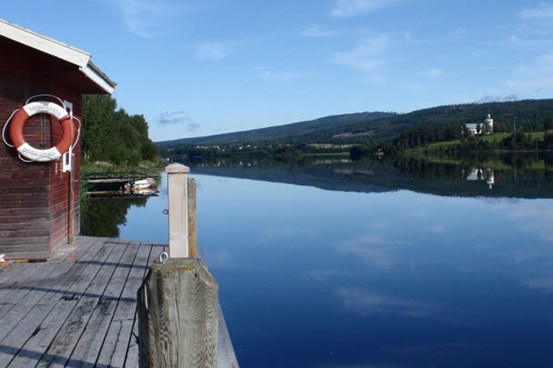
39 204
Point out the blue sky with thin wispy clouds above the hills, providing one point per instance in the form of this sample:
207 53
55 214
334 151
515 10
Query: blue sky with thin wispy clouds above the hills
201 67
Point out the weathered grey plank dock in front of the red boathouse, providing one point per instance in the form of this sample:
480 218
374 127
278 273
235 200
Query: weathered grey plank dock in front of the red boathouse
78 309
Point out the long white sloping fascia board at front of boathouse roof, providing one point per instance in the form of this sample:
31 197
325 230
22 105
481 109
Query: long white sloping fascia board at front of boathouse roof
43 43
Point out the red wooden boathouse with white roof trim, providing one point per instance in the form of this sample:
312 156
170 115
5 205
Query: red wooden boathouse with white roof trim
39 201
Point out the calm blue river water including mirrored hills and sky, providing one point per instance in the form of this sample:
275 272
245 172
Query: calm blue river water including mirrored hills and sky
371 265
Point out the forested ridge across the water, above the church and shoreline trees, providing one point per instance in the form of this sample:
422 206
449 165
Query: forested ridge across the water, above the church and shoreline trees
379 126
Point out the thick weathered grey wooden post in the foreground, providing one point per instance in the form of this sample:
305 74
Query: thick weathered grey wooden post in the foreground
178 316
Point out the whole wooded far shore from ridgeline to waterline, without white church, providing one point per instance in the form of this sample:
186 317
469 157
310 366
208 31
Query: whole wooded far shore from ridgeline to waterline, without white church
390 132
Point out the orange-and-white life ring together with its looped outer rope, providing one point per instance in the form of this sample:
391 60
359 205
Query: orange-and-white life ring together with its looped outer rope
20 116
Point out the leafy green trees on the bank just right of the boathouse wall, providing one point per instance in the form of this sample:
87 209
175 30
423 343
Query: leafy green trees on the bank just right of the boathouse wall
110 134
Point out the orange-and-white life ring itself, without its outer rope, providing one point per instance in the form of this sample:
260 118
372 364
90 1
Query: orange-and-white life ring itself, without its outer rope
41 155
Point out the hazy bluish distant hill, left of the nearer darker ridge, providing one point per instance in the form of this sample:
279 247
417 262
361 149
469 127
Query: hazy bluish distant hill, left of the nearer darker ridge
319 130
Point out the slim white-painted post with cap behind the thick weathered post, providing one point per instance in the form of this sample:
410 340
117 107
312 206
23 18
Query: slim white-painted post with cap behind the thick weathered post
177 189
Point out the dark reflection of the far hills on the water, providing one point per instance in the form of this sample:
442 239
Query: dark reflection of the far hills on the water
521 175
